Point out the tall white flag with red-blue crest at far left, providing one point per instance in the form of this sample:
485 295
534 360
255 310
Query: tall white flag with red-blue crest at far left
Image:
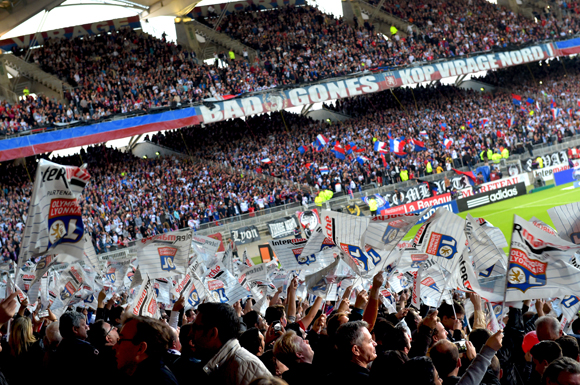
54 223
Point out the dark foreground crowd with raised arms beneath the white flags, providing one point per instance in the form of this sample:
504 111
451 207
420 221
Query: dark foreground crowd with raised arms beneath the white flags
293 342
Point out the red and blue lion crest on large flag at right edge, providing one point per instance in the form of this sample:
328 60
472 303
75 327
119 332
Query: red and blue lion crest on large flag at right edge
525 273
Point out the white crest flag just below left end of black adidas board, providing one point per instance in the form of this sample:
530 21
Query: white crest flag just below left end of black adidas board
443 237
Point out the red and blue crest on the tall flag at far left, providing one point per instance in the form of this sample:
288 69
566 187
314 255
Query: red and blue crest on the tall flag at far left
64 221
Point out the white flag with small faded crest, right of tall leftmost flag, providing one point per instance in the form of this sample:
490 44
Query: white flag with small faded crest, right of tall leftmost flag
164 255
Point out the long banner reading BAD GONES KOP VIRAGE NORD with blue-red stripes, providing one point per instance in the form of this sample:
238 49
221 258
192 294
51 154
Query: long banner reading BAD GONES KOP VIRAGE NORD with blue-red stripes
277 100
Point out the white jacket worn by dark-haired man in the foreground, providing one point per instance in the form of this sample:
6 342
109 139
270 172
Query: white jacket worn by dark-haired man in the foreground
234 365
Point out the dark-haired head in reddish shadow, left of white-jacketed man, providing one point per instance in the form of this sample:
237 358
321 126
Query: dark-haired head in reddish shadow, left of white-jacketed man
140 338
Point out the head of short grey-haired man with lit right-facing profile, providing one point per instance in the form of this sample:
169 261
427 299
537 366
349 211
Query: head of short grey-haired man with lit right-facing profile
355 343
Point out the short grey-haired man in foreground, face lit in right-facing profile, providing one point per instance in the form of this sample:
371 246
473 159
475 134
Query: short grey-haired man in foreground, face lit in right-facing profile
356 348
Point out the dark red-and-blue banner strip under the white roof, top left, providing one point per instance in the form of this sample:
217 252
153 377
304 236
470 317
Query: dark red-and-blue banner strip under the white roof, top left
71 32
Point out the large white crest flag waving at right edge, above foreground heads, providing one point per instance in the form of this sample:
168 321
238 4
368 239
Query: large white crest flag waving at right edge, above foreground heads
538 264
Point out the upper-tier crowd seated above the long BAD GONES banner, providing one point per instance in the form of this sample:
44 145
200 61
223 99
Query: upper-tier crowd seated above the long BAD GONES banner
127 71
